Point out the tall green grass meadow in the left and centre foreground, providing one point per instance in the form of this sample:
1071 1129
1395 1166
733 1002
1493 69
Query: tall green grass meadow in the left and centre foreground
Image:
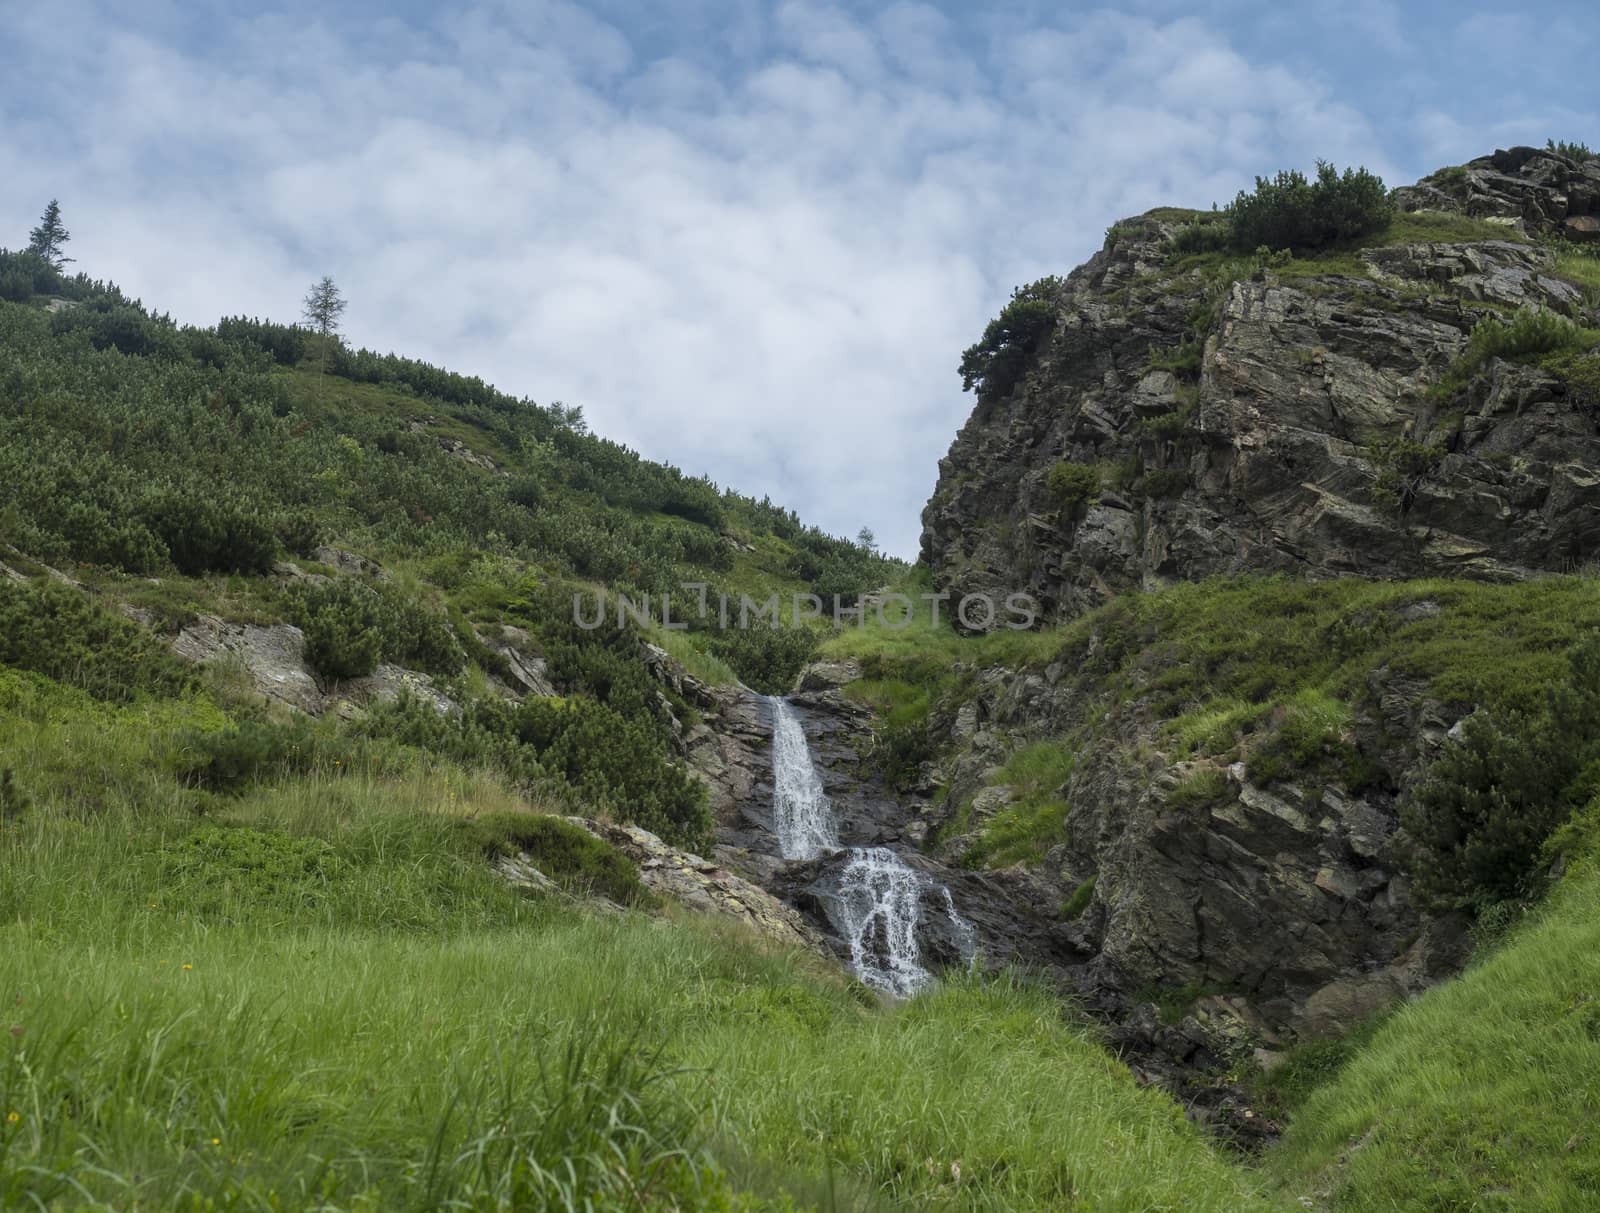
316 995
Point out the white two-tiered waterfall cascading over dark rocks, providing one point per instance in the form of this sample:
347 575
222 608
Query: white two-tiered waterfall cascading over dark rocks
879 900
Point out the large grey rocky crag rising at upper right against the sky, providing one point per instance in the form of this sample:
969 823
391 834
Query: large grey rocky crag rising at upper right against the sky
1271 458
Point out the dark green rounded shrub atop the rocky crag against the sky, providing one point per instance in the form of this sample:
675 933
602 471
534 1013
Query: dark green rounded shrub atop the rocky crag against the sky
1290 212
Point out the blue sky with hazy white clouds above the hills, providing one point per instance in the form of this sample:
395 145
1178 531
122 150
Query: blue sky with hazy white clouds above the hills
750 239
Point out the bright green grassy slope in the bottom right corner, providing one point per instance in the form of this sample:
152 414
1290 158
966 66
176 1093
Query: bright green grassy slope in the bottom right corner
1481 1095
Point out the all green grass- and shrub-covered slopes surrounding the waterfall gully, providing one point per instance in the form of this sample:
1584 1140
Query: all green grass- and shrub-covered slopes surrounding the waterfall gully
254 959
